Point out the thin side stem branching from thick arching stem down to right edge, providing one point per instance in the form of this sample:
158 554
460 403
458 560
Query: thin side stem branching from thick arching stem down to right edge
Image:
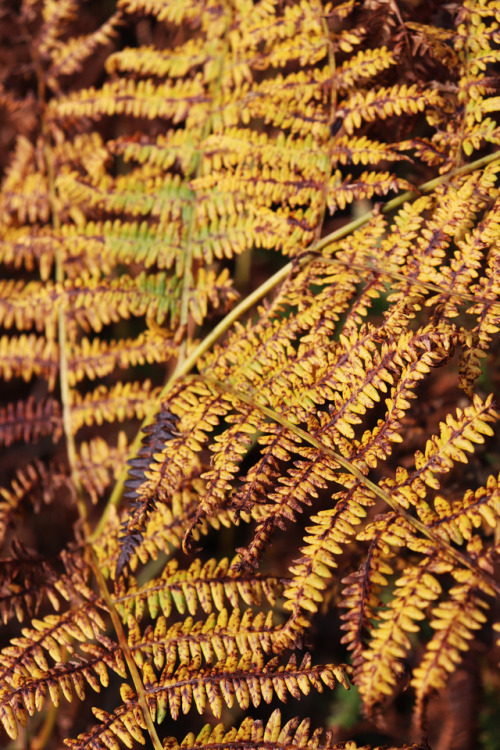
454 554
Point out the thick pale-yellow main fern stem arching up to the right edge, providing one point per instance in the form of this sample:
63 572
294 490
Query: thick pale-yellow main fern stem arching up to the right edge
246 304
